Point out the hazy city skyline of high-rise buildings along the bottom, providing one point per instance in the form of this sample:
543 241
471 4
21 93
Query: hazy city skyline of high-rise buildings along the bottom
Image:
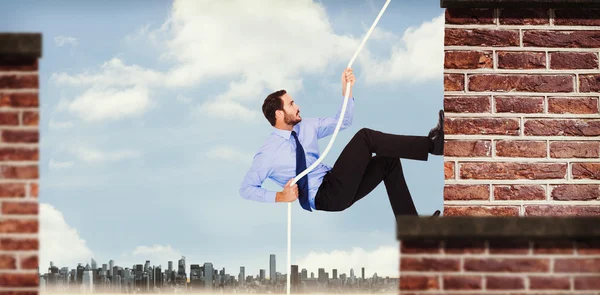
148 277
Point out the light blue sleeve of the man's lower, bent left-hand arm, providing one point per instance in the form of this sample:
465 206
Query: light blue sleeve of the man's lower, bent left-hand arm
251 187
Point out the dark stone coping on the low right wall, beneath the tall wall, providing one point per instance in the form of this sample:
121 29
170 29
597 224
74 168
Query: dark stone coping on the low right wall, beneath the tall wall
451 227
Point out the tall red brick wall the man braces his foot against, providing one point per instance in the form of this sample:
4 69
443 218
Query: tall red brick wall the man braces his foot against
521 96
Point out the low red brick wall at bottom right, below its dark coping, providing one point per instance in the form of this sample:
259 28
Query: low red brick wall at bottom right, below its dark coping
500 267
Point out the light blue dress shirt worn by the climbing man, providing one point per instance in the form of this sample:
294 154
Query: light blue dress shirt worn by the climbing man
276 158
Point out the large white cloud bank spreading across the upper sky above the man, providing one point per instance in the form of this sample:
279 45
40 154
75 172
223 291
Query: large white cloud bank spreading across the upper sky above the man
259 47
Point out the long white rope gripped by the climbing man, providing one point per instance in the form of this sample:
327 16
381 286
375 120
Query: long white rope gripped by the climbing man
337 128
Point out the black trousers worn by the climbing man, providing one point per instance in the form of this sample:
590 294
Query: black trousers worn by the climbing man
357 172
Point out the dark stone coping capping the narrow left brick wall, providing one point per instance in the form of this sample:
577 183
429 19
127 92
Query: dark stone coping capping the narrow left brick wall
21 45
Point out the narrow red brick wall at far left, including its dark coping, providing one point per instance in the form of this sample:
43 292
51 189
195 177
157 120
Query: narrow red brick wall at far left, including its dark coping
19 157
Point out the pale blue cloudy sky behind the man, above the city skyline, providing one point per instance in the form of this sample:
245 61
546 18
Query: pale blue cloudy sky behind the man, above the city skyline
151 114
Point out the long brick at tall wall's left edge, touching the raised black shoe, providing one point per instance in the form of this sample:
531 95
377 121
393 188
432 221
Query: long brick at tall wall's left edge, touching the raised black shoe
482 126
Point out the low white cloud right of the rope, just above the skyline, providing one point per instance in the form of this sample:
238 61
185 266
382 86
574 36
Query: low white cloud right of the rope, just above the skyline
383 261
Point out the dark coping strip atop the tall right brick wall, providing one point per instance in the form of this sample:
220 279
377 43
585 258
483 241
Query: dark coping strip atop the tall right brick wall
520 4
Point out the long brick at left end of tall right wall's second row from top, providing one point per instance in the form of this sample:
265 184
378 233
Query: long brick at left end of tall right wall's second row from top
481 37
